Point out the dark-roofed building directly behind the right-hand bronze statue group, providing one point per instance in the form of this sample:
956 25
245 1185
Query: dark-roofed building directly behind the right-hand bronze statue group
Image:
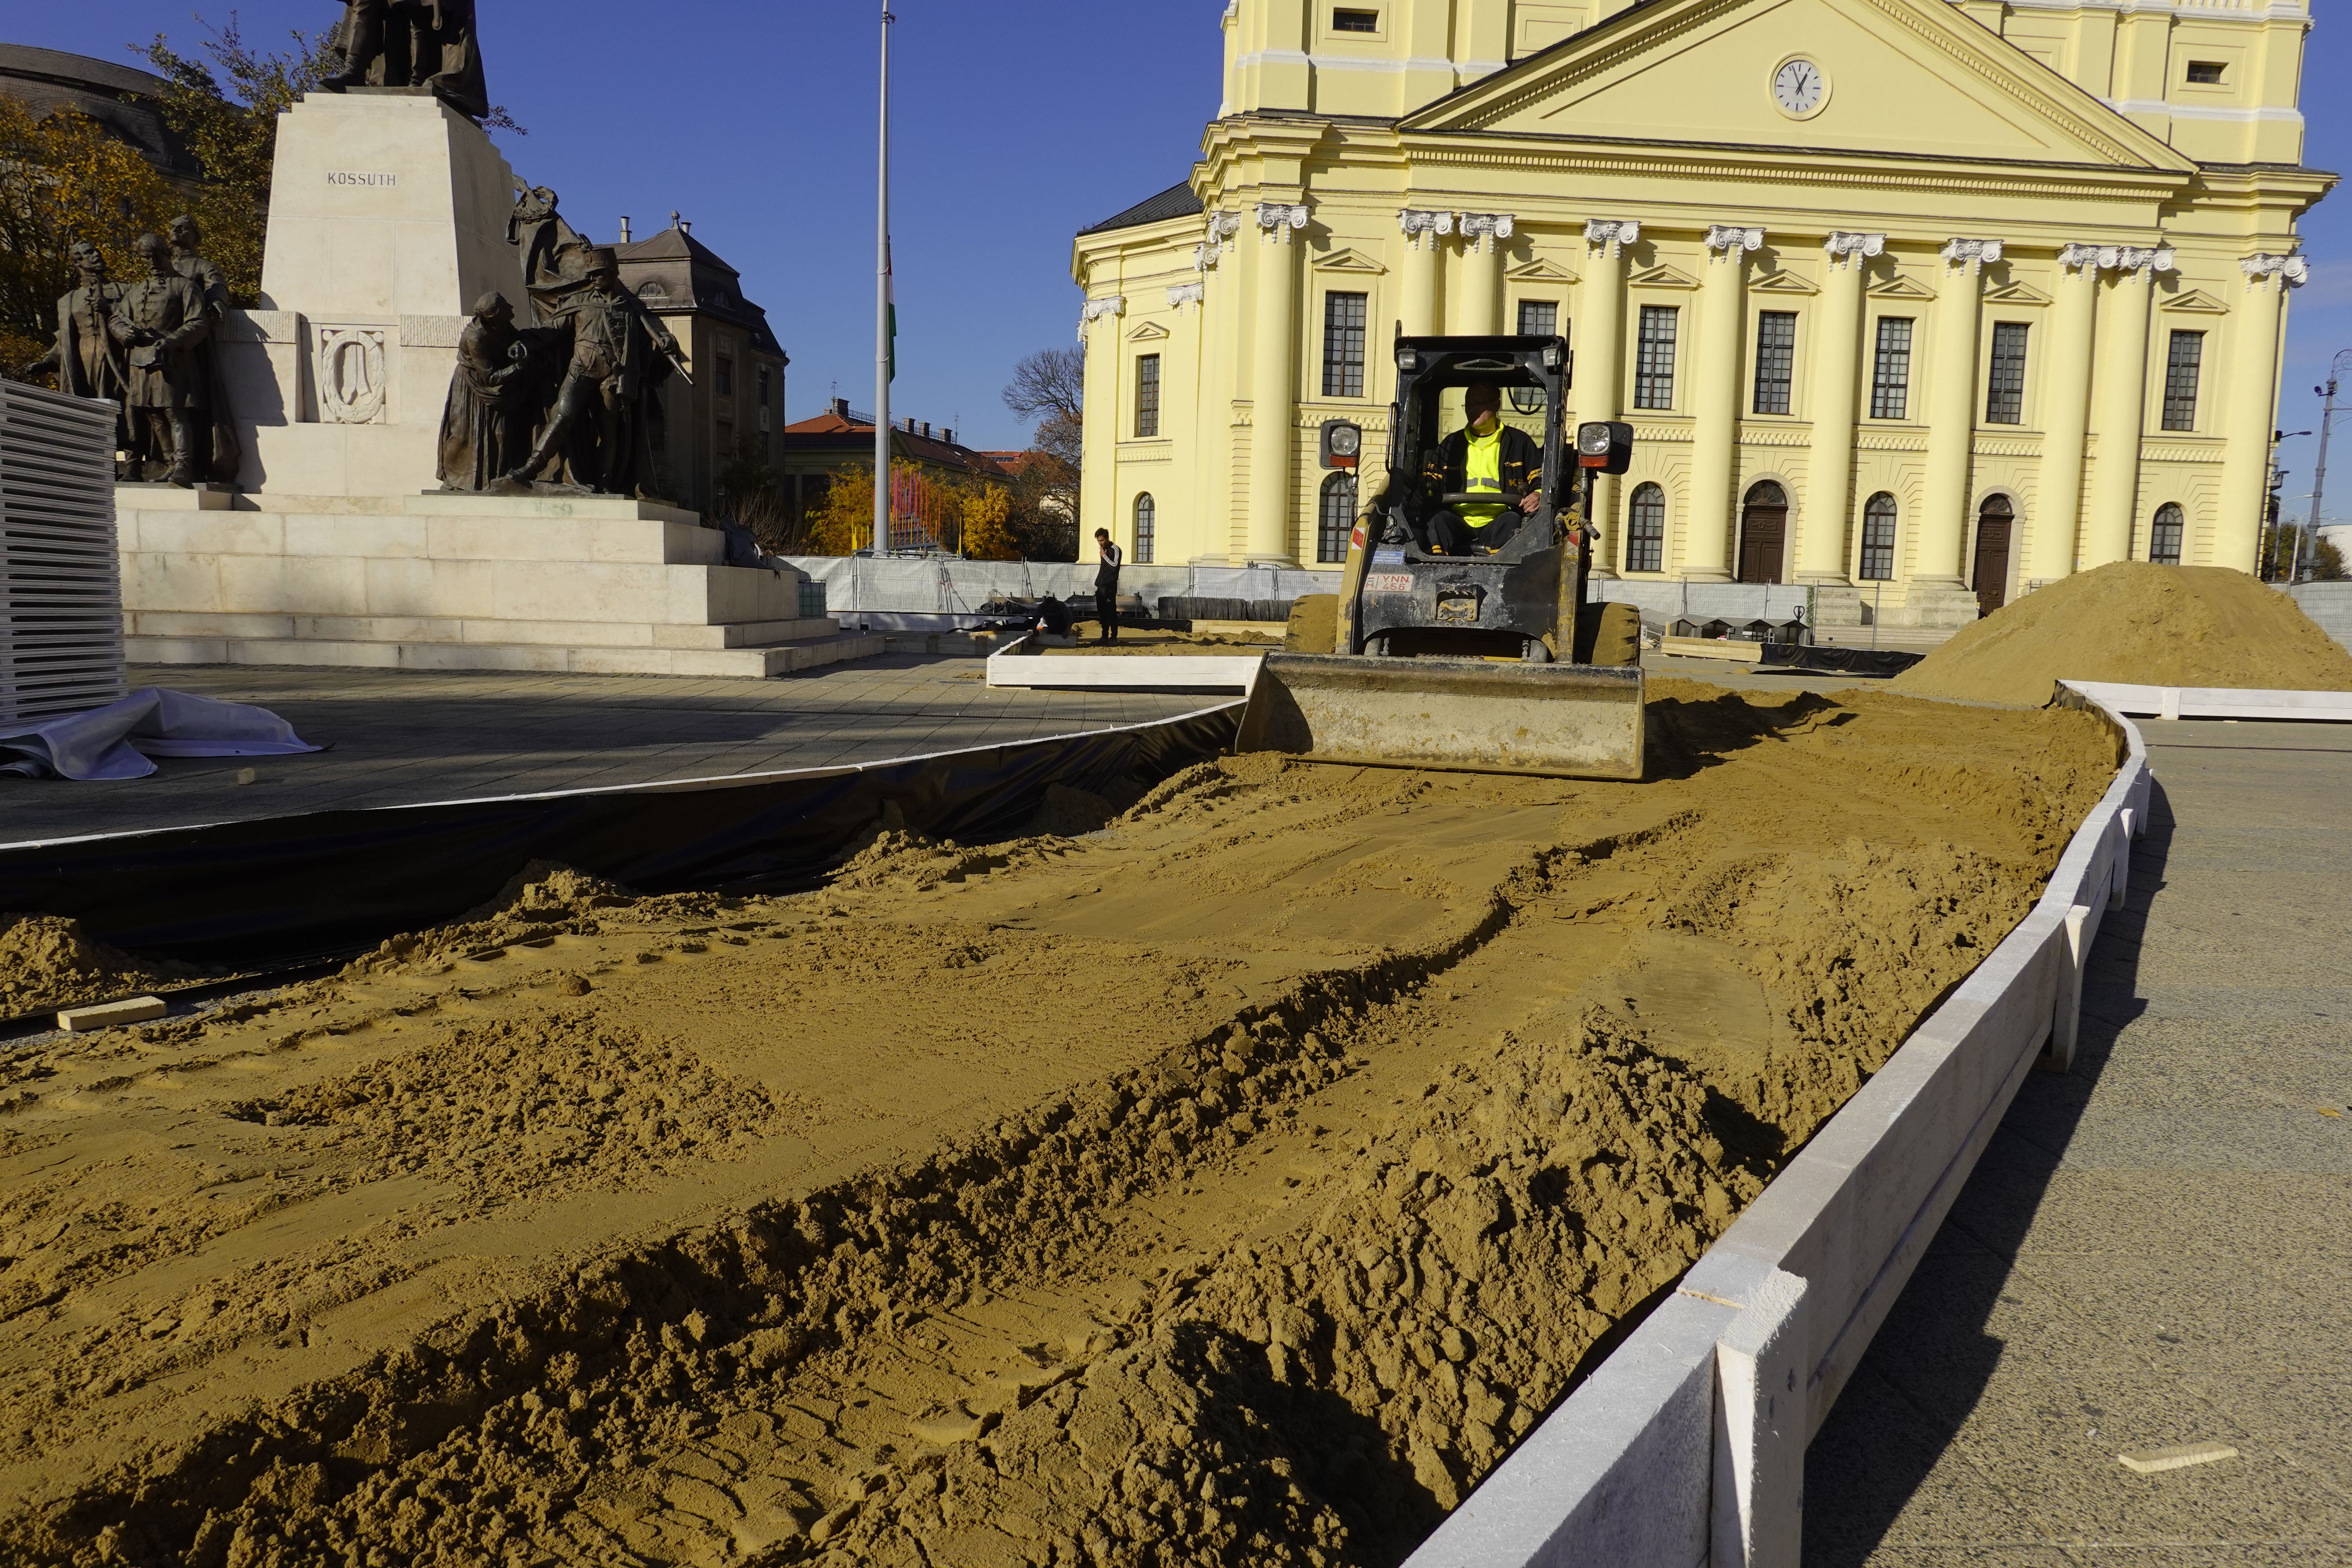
737 363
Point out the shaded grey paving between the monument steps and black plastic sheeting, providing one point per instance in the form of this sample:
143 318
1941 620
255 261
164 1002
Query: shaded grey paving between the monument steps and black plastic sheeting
403 737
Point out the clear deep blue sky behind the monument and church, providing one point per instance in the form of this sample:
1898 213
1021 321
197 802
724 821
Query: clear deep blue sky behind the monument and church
1017 123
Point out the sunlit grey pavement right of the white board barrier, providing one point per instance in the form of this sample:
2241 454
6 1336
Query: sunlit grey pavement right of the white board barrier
2156 1247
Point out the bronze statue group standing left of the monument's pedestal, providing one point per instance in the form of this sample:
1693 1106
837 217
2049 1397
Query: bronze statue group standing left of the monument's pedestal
152 349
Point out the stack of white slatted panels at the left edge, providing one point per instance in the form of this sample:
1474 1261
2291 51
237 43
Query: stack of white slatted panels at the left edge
60 572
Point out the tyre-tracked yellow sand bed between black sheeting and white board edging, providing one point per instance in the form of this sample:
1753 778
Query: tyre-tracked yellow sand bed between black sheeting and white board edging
1229 1186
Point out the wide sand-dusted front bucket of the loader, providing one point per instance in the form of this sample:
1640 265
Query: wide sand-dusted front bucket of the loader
1448 713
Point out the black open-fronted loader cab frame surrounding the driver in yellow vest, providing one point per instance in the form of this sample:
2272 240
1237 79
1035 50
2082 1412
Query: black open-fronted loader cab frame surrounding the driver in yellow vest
1434 377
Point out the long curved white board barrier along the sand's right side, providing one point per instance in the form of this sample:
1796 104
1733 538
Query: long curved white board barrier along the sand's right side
1688 1442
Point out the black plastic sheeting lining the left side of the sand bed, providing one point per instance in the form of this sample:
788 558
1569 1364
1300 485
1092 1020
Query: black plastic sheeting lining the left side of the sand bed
340 880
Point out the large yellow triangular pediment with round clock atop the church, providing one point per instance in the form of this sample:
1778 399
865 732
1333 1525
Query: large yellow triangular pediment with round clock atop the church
1913 79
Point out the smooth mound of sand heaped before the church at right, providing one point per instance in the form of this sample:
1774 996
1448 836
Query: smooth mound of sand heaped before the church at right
2132 622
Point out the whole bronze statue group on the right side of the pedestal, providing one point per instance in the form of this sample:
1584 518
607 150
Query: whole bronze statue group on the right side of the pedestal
575 401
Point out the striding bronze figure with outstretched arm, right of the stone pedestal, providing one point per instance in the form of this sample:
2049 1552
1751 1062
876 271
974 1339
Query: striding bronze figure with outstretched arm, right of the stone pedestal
620 359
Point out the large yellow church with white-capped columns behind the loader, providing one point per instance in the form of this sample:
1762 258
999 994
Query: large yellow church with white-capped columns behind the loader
1918 297
